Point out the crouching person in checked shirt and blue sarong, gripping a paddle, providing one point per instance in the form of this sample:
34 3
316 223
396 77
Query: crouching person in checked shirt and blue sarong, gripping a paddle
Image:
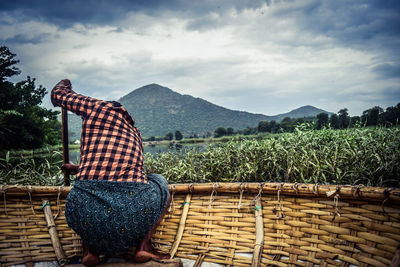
113 205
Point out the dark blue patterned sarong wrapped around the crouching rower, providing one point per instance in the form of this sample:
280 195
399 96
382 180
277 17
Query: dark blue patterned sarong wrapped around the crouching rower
114 216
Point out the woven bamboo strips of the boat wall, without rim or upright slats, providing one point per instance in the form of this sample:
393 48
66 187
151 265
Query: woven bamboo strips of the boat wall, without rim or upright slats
365 234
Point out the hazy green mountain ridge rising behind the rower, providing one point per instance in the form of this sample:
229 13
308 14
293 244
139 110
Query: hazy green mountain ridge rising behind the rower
158 110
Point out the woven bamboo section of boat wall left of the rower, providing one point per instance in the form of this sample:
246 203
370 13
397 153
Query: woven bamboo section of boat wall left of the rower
24 235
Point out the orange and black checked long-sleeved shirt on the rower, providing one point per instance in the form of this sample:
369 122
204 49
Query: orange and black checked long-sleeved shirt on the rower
111 147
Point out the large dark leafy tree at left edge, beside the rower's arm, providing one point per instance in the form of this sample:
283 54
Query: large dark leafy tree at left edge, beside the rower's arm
24 124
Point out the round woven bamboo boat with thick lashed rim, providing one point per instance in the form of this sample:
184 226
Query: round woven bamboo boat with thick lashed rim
230 224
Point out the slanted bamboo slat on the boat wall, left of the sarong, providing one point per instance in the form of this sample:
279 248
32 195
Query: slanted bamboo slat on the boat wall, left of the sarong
53 232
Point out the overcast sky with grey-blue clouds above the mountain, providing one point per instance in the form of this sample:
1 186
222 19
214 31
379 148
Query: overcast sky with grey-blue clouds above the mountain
259 56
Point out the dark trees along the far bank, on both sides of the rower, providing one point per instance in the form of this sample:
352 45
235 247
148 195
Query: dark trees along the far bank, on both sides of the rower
24 124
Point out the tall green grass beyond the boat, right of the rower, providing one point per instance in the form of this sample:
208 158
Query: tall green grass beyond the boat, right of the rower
369 156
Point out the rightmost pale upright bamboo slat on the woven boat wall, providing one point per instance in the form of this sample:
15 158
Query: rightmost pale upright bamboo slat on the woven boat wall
256 261
